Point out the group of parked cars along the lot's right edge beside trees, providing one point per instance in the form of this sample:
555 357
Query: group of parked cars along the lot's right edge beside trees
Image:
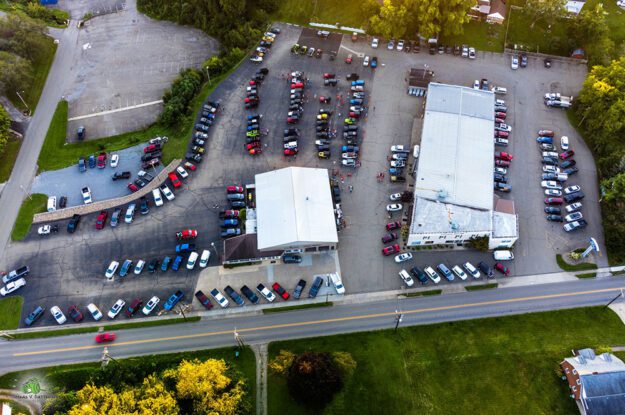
557 167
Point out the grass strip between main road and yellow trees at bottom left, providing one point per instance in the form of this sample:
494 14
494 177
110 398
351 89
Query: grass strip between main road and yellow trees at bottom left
73 377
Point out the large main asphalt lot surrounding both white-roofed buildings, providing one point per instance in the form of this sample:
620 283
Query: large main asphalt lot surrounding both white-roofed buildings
70 268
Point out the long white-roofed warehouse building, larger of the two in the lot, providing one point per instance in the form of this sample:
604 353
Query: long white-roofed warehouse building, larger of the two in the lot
454 196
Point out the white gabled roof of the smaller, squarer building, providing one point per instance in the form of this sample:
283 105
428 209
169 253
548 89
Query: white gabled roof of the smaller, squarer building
294 208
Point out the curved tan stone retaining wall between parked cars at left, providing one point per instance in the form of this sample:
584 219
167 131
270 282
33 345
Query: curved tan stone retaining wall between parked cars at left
67 213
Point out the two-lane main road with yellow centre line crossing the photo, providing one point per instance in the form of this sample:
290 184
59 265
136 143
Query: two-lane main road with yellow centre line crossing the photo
258 328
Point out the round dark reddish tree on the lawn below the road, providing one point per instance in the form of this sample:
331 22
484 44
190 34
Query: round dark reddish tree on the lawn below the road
314 379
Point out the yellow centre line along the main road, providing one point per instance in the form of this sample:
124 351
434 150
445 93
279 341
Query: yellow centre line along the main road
326 321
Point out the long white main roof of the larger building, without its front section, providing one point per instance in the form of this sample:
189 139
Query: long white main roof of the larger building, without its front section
457 147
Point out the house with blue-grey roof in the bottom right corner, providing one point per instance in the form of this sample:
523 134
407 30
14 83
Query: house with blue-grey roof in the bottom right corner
597 383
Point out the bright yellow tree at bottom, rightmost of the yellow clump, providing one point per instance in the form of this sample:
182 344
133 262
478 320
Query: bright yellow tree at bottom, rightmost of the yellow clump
207 386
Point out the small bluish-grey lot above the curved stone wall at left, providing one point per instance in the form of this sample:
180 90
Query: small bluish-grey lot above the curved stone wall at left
69 181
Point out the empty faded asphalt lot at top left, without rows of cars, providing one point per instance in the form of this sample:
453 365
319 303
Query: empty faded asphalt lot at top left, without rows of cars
127 61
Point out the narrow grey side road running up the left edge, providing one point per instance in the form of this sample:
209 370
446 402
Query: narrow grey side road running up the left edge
25 168
